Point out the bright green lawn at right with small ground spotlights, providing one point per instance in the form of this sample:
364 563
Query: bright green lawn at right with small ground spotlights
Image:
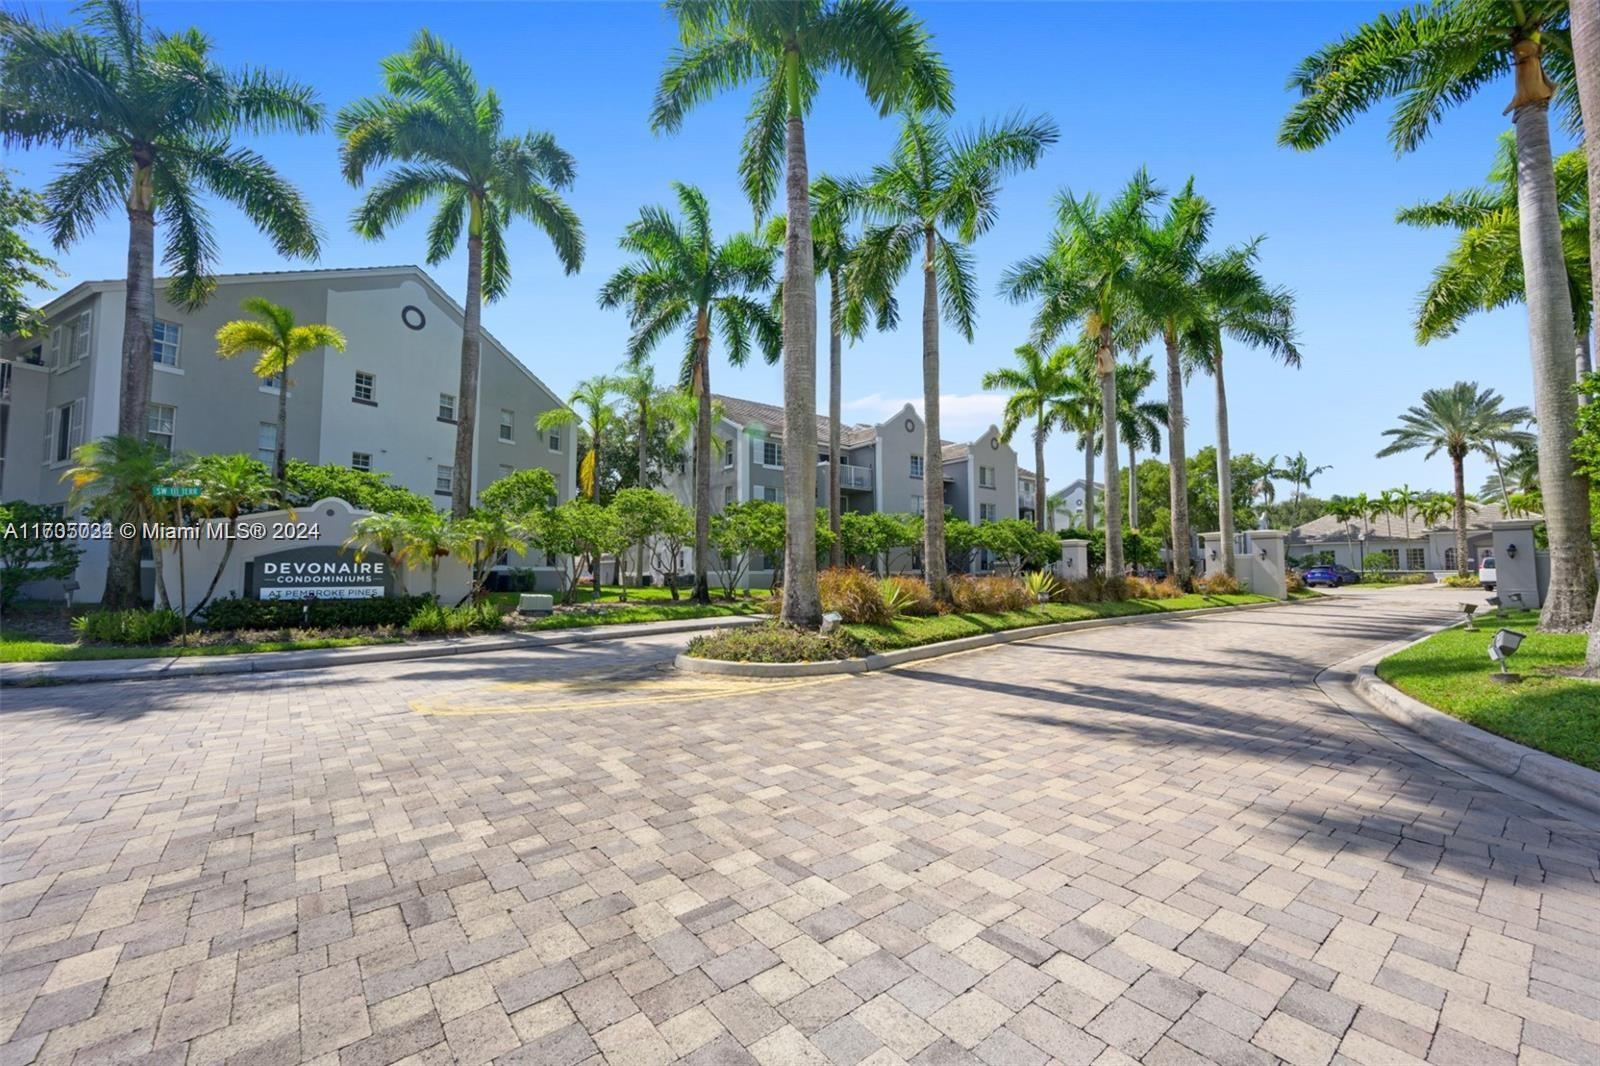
1556 715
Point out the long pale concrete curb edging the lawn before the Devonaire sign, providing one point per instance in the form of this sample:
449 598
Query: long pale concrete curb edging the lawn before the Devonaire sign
87 673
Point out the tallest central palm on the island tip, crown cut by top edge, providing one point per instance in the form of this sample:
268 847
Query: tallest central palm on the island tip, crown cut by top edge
786 49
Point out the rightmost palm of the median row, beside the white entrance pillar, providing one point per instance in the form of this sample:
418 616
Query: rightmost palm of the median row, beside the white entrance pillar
1254 313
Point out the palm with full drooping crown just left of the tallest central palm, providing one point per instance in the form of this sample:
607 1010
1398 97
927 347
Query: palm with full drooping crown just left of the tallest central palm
684 279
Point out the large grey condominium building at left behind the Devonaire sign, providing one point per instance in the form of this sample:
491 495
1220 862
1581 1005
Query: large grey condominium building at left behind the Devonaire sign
386 404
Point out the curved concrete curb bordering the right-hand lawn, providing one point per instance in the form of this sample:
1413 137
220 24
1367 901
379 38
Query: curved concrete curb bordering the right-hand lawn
1526 766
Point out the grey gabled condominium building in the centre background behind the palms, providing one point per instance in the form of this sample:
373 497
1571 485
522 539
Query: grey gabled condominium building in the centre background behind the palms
881 468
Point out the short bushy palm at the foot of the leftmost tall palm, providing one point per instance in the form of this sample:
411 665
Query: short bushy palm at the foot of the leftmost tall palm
114 481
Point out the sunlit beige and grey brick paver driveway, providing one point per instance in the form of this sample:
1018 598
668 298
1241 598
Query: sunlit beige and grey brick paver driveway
1159 843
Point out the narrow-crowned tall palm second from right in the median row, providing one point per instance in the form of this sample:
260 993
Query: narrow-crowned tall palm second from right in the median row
1183 275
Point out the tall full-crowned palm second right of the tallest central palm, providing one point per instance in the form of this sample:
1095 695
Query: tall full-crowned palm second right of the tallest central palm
930 201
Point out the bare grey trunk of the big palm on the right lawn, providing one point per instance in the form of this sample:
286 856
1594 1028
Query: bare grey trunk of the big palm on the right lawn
1570 601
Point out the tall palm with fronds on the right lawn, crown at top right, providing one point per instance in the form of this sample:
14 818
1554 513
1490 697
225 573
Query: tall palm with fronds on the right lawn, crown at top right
1433 58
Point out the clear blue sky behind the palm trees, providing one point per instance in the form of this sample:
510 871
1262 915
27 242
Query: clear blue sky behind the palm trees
1183 89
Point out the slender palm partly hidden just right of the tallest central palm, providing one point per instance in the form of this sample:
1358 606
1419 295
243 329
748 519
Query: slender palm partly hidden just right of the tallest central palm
834 255
